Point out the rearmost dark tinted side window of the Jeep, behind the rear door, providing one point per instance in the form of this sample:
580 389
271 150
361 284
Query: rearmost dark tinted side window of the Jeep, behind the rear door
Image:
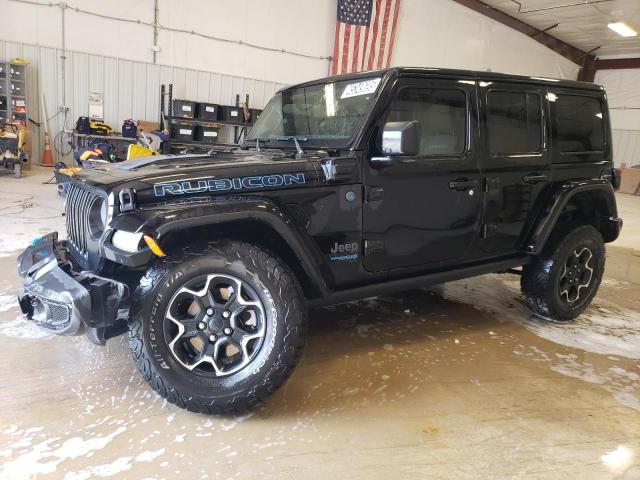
579 123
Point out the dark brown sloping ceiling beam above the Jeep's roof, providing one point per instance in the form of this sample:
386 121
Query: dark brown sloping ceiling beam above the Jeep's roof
574 54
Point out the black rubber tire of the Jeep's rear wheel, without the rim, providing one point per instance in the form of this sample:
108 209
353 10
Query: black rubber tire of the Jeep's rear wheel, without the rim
540 281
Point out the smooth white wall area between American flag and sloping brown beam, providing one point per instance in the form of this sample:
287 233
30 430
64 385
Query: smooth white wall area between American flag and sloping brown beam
442 33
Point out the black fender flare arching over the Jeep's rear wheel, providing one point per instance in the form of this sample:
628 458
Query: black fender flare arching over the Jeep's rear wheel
560 197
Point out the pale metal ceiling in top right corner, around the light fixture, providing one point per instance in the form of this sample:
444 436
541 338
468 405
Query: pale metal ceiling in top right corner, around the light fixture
581 23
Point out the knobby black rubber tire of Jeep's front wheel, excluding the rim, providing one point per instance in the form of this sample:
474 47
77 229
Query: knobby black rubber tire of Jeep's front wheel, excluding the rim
276 359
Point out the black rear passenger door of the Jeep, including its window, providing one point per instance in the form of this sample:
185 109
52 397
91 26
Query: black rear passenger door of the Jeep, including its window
515 161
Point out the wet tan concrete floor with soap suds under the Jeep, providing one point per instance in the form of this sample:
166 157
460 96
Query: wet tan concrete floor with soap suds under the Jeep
452 382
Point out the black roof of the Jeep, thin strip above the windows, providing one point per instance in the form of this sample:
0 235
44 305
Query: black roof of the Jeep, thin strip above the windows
448 73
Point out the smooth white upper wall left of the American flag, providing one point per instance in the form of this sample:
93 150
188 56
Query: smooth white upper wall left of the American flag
304 26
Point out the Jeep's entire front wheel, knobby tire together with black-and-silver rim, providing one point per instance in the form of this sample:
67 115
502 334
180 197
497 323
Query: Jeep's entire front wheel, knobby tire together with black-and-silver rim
217 329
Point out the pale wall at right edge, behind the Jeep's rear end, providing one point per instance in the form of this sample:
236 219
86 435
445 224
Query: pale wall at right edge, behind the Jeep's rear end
623 93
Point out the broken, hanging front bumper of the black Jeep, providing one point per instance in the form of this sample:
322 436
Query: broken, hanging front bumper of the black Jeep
63 301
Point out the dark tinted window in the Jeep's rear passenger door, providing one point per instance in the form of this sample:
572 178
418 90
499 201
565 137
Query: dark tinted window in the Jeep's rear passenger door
514 121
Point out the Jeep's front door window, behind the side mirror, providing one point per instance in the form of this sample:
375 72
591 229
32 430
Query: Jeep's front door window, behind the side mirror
442 114
